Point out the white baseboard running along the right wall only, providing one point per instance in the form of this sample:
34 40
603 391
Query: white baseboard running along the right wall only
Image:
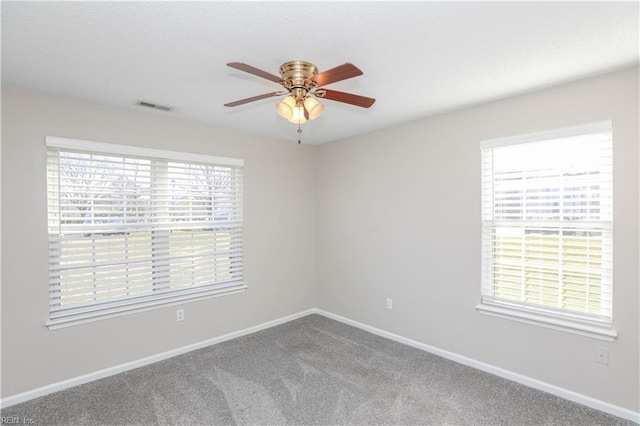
510 375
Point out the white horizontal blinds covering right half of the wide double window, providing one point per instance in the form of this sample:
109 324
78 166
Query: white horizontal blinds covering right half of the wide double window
200 224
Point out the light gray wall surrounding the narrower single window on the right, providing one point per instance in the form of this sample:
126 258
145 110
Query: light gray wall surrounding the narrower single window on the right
398 215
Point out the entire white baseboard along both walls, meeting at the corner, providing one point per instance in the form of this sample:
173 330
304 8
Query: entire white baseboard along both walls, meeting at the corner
528 381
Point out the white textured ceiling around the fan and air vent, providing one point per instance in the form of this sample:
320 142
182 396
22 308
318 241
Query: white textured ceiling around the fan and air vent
418 58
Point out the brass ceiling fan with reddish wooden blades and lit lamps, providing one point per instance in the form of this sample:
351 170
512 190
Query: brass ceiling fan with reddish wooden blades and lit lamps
303 83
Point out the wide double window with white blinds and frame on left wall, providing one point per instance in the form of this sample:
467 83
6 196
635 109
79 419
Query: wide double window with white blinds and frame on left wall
133 229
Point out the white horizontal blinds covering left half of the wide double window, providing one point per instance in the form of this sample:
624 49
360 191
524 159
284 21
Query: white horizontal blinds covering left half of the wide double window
99 251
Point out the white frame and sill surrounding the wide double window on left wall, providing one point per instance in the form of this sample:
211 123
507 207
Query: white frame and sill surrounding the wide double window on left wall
84 313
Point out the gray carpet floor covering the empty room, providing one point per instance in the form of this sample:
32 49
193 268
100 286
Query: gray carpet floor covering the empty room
311 371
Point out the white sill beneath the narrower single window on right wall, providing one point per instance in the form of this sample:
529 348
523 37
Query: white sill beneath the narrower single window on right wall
542 319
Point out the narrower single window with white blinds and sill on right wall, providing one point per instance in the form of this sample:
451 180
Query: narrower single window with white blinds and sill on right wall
547 219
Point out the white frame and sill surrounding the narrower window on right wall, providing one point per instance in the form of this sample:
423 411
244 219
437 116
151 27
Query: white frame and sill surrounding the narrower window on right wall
553 318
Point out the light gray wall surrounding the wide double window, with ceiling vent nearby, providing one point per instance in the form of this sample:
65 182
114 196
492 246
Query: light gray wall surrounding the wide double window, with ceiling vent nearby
279 245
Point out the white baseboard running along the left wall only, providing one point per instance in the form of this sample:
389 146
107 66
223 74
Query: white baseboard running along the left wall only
66 384
